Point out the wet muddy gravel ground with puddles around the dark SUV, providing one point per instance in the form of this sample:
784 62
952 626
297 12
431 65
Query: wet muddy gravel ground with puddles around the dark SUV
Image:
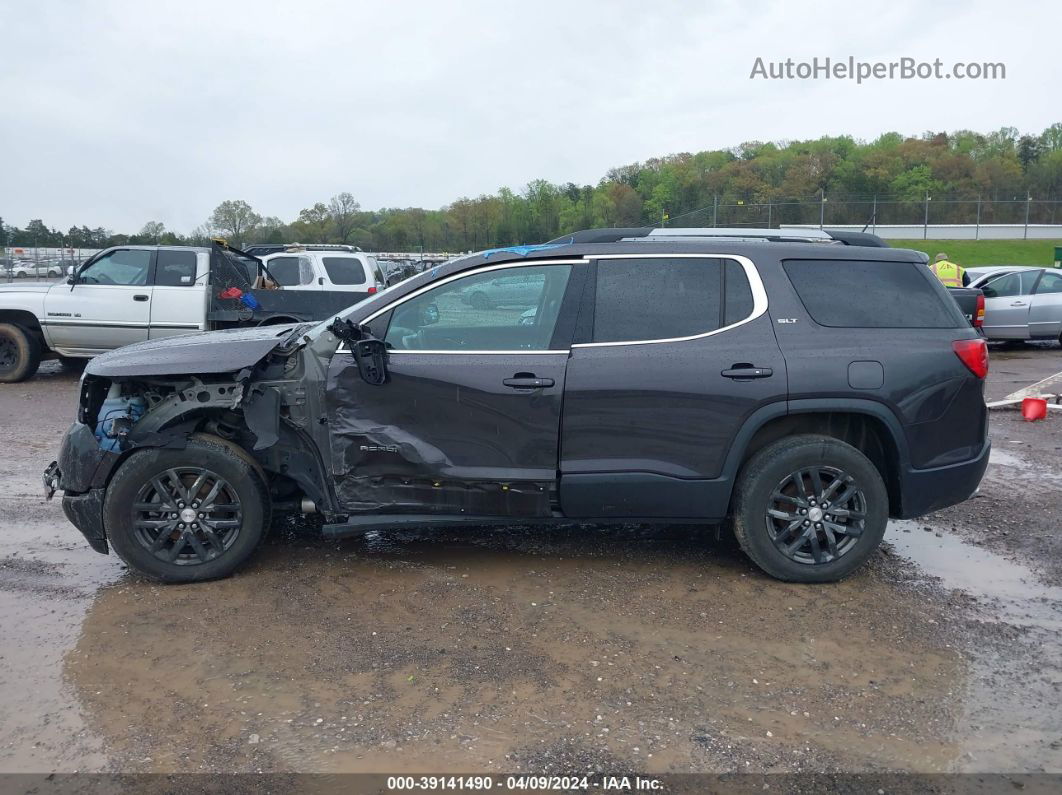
609 649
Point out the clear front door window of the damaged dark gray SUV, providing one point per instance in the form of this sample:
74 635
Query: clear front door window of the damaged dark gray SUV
508 309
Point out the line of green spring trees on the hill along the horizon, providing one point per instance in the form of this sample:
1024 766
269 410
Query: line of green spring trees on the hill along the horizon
787 178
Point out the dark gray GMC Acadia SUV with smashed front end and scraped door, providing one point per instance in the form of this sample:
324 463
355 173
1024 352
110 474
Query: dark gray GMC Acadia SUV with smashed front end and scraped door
800 386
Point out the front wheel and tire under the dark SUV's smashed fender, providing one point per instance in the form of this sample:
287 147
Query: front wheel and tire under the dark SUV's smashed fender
173 549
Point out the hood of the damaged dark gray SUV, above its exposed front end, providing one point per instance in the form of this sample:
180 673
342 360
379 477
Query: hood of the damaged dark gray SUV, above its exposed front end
208 352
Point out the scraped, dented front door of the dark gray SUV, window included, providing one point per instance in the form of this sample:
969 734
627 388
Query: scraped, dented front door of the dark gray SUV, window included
469 420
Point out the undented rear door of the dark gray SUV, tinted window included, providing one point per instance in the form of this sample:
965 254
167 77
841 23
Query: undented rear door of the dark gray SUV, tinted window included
674 354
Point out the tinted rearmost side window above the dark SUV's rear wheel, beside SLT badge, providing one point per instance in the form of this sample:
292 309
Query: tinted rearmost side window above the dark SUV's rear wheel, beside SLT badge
867 295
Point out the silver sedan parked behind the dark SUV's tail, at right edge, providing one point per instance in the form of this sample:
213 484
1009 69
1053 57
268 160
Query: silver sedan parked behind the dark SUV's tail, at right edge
1022 303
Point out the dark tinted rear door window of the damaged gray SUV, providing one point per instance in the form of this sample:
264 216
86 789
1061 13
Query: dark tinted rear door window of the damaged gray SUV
661 298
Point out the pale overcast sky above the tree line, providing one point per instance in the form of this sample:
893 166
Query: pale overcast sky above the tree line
117 113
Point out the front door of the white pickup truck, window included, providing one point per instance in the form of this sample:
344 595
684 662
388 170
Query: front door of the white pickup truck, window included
110 306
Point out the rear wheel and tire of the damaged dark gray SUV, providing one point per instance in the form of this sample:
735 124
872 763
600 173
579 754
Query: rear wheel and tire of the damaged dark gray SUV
780 543
